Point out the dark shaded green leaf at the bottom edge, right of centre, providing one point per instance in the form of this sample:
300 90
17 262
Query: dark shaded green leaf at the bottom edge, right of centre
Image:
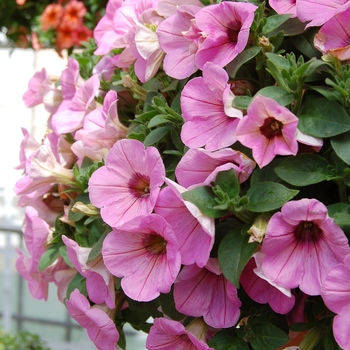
267 336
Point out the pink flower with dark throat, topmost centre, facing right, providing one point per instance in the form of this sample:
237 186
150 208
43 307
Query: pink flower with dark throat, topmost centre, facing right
226 27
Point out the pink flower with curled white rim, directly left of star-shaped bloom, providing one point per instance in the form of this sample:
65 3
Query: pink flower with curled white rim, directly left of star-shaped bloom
206 104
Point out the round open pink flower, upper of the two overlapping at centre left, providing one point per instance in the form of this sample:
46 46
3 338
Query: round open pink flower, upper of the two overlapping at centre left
129 183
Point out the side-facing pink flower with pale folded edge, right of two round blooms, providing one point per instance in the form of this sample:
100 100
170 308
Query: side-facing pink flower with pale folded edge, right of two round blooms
194 231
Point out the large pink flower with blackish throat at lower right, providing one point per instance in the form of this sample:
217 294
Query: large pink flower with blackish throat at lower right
302 243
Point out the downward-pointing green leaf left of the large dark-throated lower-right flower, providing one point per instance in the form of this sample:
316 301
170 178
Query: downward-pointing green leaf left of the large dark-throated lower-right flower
234 252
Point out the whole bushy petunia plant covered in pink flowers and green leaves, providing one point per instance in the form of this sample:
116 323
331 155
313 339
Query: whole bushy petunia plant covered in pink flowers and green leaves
194 178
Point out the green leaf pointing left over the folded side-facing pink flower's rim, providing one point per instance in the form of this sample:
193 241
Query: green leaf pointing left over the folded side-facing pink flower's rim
204 199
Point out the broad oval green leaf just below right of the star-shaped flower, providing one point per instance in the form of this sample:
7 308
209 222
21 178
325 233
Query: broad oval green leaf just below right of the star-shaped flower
303 169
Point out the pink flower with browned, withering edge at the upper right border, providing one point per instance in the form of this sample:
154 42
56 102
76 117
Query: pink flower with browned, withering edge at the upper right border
334 37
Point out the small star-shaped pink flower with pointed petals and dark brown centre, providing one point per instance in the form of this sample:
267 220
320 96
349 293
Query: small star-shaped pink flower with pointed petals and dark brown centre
268 129
